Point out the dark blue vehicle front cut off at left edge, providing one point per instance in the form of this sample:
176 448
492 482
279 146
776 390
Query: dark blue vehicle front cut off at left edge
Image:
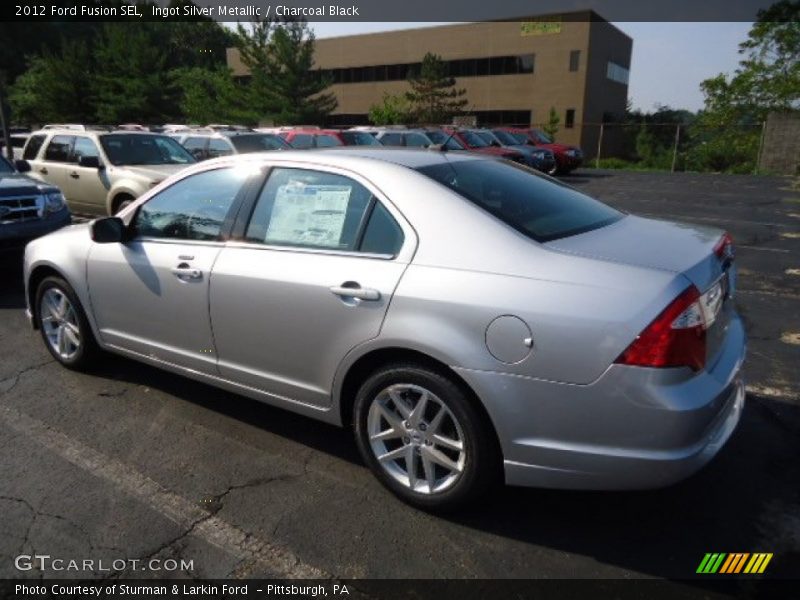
28 208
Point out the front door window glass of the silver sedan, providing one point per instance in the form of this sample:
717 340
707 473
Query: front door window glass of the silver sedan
192 209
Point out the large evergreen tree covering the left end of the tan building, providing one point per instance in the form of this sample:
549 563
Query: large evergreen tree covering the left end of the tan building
283 86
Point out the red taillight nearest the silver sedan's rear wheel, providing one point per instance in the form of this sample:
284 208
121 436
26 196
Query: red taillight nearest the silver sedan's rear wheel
676 338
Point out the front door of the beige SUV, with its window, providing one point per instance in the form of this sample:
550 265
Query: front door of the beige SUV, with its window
86 188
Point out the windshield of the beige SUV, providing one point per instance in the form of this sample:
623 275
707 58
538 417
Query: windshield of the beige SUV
138 149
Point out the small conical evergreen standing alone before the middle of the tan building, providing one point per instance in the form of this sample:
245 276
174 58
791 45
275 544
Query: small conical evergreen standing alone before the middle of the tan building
433 96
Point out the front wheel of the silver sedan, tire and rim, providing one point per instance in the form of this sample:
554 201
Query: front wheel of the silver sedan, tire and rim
63 324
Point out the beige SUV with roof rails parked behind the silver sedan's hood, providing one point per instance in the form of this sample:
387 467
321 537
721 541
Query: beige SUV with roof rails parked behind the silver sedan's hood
101 172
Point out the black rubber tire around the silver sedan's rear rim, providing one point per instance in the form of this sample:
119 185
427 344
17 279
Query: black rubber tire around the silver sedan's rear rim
482 469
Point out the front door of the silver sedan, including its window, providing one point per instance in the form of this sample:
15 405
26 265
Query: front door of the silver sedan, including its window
149 295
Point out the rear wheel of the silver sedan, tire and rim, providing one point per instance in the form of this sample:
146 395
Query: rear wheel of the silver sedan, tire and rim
423 439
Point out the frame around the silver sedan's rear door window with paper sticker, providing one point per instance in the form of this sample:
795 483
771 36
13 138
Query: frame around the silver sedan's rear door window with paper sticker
247 209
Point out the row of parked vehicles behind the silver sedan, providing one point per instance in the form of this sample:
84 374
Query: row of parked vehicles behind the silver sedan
99 170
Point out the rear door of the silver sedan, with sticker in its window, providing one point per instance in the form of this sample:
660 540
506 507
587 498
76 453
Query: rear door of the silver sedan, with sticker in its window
310 280
